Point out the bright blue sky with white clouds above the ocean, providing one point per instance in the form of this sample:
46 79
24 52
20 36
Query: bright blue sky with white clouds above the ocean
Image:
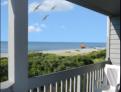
67 22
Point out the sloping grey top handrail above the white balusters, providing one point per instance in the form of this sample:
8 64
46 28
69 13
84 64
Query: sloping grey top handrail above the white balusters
62 75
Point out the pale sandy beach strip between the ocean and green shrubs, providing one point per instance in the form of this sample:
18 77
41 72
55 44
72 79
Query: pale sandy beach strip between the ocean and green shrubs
69 52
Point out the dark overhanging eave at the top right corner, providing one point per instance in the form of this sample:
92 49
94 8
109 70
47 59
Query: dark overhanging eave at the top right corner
107 7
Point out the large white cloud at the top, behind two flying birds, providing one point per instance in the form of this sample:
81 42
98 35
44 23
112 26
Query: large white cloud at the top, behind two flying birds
46 5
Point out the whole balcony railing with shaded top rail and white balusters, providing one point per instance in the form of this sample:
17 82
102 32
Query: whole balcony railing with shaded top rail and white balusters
87 78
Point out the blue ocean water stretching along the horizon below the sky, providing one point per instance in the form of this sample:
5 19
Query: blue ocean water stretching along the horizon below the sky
45 46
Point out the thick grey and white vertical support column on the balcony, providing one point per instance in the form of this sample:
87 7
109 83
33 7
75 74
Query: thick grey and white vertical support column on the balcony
18 44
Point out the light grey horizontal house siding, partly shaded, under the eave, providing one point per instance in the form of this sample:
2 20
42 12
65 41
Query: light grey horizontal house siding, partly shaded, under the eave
114 40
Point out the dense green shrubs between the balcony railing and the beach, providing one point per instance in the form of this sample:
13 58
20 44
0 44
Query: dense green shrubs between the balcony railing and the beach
40 64
